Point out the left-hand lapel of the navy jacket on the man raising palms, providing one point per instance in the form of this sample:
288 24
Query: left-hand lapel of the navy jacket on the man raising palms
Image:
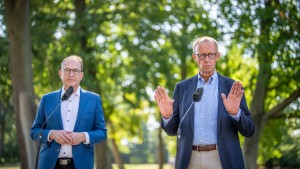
191 88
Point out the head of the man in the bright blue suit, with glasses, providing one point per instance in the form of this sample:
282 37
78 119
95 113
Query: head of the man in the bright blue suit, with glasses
71 74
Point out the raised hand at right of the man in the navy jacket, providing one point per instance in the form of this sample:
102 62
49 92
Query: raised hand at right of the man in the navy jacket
233 100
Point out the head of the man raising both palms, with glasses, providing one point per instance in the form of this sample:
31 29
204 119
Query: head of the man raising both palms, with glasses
206 57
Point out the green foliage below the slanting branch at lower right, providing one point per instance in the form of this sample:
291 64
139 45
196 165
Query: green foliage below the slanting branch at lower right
281 144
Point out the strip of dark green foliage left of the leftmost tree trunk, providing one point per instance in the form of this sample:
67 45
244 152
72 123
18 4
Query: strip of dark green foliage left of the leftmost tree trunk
8 136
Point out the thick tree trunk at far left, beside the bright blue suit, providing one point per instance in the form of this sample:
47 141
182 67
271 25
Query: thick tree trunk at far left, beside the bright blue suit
18 27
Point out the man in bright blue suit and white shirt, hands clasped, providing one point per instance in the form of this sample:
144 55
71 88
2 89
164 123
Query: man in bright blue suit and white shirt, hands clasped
69 133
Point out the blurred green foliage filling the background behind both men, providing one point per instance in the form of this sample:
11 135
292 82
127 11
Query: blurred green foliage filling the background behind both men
130 47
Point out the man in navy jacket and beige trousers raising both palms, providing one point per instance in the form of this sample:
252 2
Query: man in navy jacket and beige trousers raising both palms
209 131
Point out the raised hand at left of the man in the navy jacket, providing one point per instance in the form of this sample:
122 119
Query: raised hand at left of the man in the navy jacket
165 104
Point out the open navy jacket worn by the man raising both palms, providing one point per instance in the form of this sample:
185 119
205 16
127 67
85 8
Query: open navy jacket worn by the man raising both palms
227 128
